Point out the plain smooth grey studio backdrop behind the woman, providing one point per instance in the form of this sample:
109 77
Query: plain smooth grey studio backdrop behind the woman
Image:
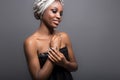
94 29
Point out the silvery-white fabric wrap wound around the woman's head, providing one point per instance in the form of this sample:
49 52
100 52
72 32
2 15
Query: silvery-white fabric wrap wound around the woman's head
40 6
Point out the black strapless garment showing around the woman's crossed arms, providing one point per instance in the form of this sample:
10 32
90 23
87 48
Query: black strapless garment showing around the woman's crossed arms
58 73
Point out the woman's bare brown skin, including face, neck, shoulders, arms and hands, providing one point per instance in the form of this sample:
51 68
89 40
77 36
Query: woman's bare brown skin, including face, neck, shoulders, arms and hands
46 39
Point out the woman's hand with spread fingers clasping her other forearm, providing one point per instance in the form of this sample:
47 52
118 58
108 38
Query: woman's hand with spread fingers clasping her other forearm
56 57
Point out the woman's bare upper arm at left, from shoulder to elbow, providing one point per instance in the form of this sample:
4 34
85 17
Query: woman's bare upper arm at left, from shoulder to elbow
31 56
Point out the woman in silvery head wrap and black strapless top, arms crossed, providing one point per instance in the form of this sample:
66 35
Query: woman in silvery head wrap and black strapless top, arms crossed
48 52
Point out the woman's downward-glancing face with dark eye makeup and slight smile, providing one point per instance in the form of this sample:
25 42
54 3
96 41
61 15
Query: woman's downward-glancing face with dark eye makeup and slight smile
53 15
